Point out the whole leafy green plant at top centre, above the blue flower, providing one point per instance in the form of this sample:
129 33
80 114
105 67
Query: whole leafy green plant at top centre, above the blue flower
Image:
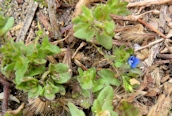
97 22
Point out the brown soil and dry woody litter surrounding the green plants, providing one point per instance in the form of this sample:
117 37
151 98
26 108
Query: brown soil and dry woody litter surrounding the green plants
153 97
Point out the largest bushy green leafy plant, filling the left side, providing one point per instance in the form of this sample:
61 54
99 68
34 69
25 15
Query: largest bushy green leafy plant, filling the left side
27 67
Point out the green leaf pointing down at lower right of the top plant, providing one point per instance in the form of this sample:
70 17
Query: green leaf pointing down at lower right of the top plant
105 40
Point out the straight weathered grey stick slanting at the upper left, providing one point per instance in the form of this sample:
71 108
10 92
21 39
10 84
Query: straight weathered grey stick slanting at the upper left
28 20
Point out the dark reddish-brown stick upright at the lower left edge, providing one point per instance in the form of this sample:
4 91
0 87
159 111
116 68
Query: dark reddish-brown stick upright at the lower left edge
6 86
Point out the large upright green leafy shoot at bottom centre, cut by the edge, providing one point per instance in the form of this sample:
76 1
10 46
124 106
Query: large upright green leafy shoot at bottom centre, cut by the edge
103 103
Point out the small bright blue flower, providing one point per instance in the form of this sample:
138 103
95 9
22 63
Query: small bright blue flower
133 61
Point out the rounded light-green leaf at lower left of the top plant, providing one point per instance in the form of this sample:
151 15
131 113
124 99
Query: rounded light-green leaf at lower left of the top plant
86 33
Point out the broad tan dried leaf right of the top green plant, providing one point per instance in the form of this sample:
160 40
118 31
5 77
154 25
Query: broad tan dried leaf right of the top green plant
136 34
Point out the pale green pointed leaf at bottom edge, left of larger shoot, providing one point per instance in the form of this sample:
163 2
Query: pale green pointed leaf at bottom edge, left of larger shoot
74 110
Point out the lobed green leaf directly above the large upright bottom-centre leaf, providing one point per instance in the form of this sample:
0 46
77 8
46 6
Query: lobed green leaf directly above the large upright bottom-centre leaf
108 77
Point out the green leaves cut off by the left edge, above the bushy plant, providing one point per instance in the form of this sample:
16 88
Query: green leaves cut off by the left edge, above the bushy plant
5 24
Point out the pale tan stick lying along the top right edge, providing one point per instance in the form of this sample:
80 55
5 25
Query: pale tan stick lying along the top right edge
148 3
